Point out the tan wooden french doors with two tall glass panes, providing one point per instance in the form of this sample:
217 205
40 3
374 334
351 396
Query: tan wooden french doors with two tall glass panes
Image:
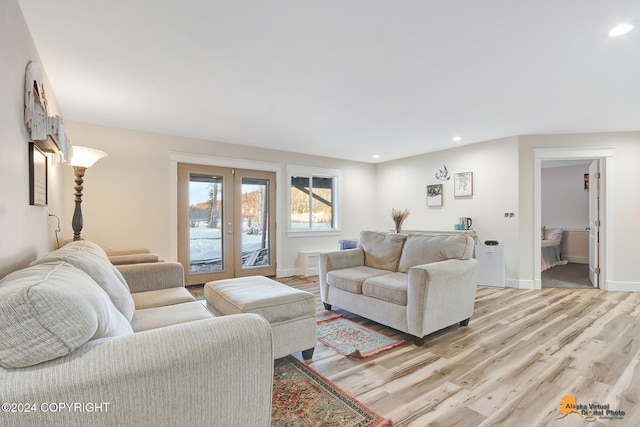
226 222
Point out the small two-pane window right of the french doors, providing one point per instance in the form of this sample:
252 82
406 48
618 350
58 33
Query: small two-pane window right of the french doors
312 200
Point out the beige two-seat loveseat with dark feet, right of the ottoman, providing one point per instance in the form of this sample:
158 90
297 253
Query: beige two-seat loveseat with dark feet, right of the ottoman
416 283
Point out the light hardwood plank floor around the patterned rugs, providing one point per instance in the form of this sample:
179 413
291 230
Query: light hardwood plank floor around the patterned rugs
521 353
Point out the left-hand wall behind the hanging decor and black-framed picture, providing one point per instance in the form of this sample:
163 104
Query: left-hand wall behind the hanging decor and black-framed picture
27 231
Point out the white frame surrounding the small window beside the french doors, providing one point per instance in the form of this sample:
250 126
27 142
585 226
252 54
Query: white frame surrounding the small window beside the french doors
311 172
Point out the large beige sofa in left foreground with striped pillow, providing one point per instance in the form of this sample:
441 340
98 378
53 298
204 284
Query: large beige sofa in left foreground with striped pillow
82 344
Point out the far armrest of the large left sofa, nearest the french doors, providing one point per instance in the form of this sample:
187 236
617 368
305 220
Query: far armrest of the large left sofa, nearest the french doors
152 276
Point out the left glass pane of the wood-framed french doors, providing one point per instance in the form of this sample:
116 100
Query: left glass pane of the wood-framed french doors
205 224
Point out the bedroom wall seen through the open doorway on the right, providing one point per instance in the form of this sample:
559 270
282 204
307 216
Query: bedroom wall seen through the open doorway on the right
565 203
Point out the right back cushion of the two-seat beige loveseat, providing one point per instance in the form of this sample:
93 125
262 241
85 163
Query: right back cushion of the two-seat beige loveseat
427 248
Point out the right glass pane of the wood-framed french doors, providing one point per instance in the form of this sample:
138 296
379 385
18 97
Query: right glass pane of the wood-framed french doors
255 222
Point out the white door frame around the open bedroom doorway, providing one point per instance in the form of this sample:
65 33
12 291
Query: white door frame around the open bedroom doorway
605 248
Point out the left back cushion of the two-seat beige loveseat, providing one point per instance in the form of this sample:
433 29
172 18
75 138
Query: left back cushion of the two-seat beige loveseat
381 250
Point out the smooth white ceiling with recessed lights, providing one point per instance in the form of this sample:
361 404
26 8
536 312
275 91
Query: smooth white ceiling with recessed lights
344 79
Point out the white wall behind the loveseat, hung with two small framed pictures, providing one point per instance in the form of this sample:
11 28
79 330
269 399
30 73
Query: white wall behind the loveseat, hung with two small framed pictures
402 184
